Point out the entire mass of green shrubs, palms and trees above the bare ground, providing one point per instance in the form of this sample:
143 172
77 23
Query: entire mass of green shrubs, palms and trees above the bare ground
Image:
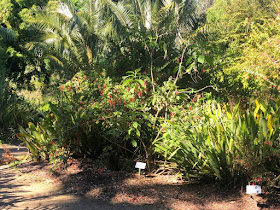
168 81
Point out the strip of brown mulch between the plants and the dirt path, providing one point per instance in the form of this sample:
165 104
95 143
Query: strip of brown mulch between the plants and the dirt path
82 178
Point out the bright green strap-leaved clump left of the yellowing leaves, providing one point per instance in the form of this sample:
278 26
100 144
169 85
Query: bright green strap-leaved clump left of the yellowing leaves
202 143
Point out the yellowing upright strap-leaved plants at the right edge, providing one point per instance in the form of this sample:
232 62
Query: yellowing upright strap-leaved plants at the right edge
257 130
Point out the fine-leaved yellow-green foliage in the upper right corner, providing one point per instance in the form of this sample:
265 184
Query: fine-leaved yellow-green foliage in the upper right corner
245 36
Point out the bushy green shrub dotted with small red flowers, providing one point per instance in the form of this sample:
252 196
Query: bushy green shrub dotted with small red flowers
92 113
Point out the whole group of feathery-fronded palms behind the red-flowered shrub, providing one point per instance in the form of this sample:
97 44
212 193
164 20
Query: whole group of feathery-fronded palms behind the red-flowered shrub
73 38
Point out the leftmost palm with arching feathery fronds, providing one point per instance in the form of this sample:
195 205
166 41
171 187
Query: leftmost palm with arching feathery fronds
68 37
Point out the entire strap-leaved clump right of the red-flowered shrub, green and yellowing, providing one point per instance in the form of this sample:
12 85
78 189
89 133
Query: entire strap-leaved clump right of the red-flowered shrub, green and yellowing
221 143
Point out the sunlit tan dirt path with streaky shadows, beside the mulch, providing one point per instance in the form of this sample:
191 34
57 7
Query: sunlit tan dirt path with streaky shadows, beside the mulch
17 193
